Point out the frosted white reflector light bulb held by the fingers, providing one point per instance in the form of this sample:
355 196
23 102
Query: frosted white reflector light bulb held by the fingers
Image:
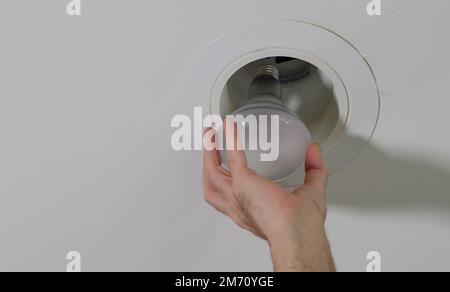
294 137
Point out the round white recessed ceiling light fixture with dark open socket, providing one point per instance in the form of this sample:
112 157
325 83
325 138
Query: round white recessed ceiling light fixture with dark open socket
324 80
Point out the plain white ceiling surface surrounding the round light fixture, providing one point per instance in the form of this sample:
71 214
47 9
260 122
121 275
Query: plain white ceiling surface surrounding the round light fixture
85 156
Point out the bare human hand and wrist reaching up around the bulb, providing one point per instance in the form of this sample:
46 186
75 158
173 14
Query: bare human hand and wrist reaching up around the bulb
292 223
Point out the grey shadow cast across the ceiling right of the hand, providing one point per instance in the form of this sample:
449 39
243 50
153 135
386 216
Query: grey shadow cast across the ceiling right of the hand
376 180
